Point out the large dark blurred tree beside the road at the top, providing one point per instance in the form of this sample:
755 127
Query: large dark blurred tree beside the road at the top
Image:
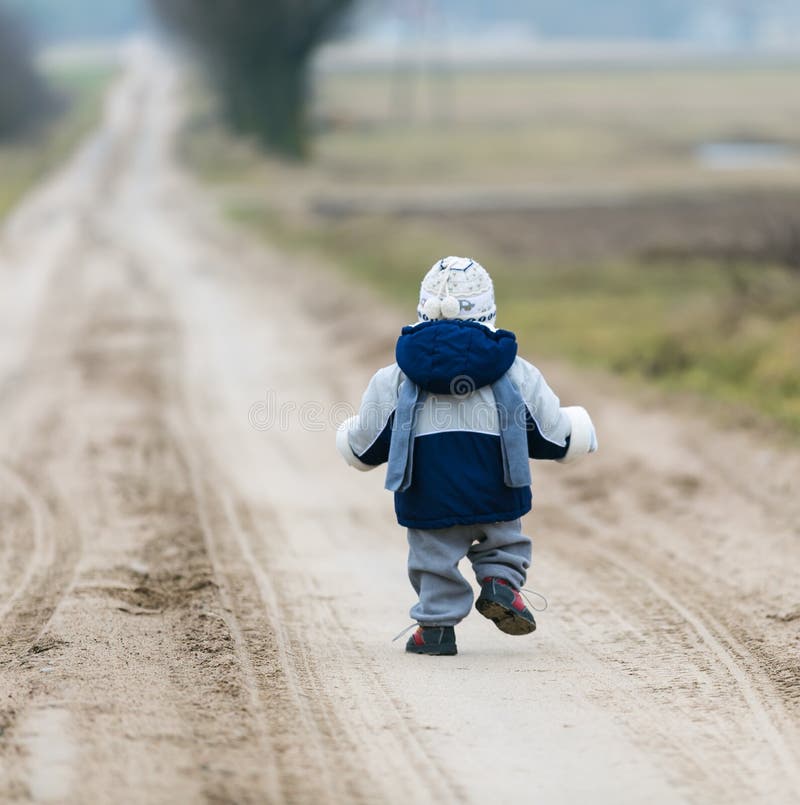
258 53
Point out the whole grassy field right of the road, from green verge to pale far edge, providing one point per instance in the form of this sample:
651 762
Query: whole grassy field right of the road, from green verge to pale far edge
696 289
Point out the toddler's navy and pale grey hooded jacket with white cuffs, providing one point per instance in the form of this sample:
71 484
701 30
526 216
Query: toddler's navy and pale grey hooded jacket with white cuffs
456 419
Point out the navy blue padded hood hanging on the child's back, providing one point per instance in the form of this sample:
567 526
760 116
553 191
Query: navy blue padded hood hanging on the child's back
454 357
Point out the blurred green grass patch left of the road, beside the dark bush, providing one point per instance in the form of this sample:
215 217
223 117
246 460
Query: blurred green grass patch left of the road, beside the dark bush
26 162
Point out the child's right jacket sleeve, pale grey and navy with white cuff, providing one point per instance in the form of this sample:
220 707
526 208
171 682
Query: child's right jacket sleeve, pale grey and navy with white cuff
555 433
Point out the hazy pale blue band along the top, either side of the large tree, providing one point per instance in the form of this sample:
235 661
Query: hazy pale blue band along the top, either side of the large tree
714 22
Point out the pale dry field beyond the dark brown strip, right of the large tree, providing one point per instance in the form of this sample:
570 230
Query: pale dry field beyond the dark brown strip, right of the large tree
612 126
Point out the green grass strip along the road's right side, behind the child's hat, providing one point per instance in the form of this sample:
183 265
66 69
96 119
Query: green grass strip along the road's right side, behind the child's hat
727 331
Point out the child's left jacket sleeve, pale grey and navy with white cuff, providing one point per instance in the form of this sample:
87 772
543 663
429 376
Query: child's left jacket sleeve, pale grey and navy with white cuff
363 440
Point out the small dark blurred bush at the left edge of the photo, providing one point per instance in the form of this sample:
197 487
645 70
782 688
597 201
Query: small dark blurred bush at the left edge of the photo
24 97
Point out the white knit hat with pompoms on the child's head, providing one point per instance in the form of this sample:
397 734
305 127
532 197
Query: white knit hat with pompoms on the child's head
457 288
